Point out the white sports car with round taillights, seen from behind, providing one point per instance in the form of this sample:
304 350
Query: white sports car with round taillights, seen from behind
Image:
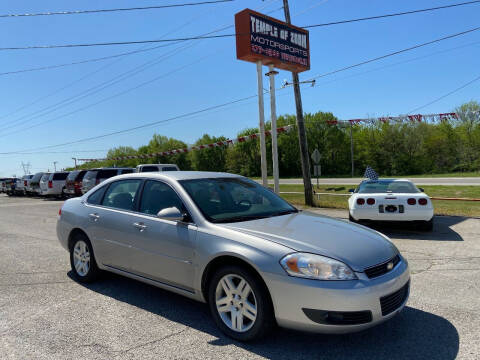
390 200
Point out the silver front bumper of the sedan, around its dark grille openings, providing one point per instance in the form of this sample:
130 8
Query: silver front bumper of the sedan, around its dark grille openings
291 295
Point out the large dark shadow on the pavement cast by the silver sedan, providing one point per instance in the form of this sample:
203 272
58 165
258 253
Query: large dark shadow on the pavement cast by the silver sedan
413 334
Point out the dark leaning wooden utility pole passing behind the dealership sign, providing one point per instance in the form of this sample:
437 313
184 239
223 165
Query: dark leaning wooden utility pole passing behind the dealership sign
302 136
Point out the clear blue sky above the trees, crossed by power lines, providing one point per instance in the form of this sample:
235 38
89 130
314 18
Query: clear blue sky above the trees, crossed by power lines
193 77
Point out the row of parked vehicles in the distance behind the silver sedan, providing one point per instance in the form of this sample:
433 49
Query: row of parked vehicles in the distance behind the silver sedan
62 184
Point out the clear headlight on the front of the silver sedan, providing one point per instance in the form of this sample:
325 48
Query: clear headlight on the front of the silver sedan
316 267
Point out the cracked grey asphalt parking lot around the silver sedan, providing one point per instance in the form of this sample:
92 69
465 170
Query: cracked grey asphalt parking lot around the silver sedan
44 314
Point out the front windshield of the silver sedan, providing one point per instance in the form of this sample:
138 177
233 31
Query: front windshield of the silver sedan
235 199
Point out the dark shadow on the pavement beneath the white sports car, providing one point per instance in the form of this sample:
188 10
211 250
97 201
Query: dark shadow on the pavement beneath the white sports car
442 230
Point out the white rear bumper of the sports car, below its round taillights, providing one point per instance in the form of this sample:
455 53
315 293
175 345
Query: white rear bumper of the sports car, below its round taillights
410 214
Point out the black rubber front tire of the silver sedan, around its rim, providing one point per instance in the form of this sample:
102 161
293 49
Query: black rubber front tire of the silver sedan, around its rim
264 320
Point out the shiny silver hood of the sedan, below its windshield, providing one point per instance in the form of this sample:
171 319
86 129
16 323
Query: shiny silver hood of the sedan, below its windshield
356 245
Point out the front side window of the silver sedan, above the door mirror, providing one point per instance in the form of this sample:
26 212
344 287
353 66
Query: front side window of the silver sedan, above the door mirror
157 196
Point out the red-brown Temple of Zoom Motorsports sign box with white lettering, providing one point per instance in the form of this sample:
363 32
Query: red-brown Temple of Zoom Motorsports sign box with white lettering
271 41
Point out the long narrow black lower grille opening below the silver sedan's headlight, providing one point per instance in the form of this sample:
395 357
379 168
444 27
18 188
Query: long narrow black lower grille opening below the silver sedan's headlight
338 317
